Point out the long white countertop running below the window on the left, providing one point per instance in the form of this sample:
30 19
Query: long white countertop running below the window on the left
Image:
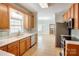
5 41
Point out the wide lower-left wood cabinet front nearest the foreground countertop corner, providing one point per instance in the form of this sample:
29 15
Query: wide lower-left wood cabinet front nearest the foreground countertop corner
14 48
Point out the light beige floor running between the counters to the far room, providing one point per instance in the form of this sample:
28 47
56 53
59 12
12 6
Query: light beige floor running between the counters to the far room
44 47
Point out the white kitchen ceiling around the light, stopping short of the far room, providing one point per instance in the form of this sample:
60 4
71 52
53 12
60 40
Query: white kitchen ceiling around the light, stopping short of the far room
53 7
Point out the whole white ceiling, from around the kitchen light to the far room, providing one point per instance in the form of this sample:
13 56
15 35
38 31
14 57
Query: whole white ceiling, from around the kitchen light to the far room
54 8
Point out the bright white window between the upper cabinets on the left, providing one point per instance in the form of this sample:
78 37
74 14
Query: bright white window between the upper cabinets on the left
16 21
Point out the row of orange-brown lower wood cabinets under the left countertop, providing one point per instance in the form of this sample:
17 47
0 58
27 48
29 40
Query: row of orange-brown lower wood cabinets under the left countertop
18 47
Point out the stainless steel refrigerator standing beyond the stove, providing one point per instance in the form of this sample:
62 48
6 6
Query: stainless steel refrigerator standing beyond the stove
61 29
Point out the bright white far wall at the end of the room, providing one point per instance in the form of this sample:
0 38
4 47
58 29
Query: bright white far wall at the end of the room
44 22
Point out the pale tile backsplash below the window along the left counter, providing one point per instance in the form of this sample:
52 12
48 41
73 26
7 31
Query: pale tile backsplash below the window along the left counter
8 33
